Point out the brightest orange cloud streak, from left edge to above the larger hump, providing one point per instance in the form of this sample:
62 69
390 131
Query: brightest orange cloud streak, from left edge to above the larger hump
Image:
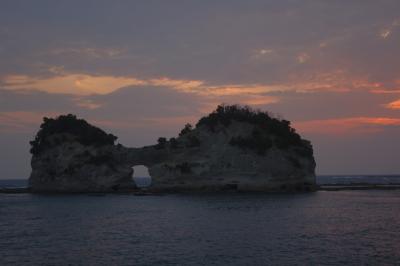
83 84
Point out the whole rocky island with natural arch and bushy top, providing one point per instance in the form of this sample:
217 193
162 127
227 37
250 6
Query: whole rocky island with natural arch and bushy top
233 148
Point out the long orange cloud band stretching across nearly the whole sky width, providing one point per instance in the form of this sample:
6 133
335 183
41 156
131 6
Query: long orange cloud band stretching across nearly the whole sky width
85 84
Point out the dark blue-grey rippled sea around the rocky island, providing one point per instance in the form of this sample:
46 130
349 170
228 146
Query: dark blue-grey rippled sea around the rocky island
356 227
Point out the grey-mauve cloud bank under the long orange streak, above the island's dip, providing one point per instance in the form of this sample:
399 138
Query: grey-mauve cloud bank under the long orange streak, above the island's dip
131 104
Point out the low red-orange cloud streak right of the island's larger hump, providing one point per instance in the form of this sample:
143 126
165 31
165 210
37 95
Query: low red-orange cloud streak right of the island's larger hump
348 125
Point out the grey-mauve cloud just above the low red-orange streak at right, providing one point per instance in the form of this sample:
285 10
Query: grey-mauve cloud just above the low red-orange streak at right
329 104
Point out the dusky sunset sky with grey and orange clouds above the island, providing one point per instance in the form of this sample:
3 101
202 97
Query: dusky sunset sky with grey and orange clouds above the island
143 69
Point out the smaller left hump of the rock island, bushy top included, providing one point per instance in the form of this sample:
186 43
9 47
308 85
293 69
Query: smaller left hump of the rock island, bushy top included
69 155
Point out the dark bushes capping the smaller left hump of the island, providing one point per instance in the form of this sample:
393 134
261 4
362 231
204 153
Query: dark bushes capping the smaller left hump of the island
82 131
